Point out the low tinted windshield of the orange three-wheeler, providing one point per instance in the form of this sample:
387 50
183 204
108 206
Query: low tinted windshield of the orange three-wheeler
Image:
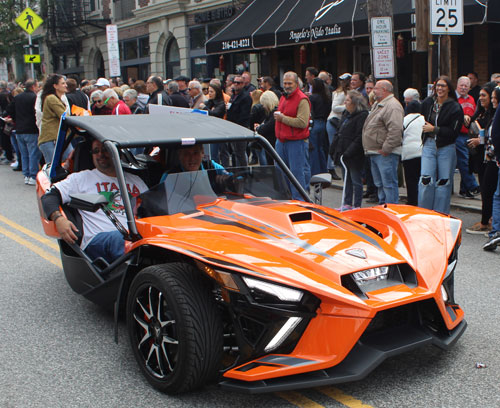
184 192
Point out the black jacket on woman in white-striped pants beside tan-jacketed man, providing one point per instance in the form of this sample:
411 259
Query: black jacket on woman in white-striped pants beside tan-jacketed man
348 141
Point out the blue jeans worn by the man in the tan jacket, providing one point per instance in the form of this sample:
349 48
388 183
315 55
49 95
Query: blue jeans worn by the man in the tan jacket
385 176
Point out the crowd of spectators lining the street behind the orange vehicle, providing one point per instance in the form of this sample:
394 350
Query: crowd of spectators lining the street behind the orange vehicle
352 124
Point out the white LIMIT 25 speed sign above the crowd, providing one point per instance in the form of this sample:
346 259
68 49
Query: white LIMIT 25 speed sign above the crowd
447 17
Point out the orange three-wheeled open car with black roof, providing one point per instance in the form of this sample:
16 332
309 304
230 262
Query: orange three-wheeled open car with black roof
226 279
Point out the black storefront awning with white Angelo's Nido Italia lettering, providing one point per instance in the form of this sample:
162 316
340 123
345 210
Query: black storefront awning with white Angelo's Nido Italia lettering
273 23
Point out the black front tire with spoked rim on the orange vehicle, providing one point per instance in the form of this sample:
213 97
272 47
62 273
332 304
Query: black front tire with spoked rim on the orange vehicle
175 327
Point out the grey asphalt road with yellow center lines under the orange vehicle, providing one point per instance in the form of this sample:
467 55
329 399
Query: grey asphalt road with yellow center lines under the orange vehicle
57 349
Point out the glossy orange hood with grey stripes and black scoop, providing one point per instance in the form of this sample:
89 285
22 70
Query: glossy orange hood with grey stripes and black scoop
292 242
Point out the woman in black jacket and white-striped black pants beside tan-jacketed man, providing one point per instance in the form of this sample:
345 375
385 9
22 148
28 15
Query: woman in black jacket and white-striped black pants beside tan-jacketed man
347 148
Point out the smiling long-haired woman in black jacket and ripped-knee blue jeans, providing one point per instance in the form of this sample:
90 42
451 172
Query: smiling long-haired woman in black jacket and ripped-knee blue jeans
443 120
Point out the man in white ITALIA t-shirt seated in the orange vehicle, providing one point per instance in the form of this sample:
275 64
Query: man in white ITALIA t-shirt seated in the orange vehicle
100 236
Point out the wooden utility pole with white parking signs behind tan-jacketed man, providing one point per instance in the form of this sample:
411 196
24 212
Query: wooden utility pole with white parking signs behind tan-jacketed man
382 8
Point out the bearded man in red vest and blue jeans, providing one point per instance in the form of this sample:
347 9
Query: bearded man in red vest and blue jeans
292 131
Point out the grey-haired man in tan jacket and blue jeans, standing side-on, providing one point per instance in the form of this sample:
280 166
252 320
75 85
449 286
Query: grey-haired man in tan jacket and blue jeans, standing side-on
382 138
